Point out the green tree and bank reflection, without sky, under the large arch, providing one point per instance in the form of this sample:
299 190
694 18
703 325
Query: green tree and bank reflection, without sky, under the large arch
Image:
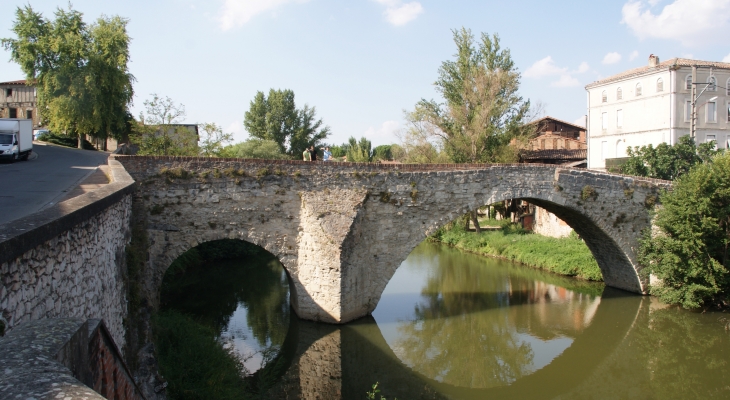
467 329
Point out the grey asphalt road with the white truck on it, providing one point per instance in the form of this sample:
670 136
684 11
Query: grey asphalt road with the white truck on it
29 186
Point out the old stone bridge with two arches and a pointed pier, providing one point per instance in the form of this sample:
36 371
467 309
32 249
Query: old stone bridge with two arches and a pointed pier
341 230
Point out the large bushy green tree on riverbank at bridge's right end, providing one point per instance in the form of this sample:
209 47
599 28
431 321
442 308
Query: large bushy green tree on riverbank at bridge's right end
689 253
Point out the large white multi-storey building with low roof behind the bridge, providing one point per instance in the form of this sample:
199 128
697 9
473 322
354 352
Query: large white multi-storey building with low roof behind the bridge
652 105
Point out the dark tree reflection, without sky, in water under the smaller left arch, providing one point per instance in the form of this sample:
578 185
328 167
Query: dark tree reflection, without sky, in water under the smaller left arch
211 291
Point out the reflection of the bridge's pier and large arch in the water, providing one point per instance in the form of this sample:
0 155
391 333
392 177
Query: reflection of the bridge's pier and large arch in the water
328 361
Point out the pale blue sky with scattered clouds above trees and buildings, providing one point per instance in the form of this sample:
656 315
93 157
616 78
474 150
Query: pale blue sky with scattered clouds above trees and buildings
362 63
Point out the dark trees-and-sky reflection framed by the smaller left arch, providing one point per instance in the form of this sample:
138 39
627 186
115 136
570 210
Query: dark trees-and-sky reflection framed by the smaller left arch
238 289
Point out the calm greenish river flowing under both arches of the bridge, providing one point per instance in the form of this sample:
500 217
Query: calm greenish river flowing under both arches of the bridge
461 326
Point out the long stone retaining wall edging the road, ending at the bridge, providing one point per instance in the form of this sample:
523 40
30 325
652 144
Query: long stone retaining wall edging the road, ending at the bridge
69 260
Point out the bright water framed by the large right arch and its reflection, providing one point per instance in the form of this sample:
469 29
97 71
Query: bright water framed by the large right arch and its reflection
479 322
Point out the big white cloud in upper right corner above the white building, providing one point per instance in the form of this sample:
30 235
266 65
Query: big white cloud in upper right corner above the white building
690 22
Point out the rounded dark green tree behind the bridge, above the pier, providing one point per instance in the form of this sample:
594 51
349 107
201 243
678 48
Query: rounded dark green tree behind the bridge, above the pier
276 118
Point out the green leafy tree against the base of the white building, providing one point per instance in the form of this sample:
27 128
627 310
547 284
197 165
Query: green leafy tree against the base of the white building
665 161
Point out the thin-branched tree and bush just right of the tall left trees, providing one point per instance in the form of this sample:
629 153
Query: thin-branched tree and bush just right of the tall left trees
159 133
